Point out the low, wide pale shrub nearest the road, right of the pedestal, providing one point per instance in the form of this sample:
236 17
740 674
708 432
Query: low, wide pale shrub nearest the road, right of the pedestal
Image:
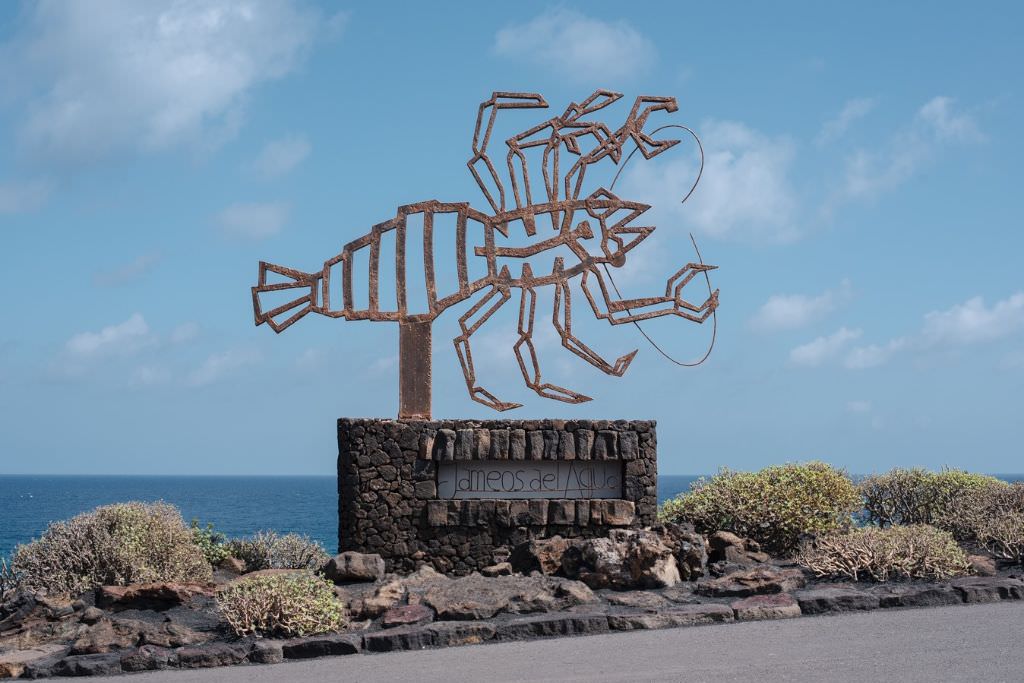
918 551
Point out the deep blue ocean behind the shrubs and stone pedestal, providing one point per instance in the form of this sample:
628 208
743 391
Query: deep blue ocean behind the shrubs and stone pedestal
236 505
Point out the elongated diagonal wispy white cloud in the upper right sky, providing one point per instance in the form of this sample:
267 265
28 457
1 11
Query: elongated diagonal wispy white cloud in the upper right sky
870 174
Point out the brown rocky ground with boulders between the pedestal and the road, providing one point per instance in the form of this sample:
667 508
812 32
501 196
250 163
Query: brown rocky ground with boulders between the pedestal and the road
651 579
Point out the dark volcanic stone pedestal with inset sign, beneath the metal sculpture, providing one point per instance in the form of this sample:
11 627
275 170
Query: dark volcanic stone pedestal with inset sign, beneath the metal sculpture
459 495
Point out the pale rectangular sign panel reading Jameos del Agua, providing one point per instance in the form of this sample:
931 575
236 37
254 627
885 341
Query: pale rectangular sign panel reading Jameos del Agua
504 480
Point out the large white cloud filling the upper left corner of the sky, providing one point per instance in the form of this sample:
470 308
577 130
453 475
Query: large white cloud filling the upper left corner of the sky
106 76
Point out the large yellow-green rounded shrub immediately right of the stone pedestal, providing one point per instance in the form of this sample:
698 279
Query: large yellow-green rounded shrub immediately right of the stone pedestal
776 506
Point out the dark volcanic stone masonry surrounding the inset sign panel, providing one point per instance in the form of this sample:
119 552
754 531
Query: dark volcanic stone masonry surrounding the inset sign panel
389 502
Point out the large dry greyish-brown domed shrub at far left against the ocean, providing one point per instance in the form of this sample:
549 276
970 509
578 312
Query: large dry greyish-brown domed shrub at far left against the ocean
126 543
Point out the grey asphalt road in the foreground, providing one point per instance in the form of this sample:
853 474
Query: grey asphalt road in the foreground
958 644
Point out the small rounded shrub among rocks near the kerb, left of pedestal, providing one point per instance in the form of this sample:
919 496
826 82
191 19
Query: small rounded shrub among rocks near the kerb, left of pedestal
282 606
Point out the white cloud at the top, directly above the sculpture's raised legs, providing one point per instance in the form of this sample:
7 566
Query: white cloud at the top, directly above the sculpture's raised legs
577 47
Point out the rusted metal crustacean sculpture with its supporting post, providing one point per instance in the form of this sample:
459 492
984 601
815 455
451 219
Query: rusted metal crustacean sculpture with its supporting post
598 231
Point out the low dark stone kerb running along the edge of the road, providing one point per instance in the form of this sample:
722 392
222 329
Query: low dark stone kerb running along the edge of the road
589 621
